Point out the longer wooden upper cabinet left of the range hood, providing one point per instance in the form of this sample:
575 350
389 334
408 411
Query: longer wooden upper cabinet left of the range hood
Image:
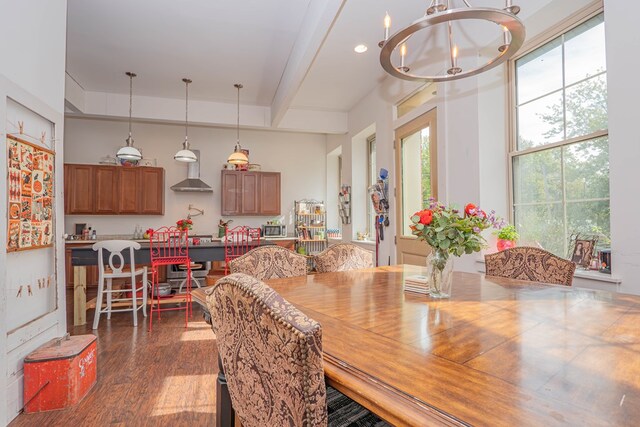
112 190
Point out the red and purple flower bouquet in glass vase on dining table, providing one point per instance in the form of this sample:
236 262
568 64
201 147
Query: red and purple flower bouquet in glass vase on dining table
450 232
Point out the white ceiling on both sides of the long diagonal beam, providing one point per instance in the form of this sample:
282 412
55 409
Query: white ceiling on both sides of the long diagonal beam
219 43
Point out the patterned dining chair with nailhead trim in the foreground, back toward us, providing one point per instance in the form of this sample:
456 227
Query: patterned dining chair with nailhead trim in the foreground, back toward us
272 357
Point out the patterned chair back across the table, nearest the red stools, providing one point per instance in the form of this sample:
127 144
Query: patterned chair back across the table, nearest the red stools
270 262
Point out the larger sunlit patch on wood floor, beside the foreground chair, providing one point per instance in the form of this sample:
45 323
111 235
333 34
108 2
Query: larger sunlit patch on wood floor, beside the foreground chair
186 393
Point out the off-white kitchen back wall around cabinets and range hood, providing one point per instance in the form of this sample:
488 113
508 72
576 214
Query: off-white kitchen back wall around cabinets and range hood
299 157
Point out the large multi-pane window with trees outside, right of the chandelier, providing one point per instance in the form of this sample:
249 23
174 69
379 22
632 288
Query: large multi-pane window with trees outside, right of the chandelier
560 156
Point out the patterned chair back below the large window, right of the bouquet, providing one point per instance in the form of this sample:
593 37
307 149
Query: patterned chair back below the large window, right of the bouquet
532 264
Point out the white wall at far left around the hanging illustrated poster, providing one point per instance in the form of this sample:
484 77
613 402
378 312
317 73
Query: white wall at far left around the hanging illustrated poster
32 45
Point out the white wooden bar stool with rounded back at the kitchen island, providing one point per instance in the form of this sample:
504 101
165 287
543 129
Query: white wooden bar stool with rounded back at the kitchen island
115 249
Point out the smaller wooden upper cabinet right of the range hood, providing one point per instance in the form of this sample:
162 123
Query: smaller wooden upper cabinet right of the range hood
250 193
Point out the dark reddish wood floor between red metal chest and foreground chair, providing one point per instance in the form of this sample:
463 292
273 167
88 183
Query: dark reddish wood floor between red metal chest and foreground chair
163 378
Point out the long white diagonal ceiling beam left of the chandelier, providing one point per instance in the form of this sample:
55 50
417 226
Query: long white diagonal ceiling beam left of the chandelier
317 23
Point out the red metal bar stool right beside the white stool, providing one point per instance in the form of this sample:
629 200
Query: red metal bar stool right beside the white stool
169 246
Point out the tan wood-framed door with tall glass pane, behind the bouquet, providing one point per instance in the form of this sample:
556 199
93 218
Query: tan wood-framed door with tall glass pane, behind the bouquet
416 180
